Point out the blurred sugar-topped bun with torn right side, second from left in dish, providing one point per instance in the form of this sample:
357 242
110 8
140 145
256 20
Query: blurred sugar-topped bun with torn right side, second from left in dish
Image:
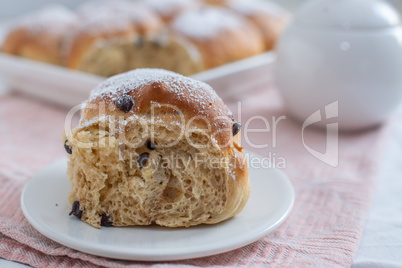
103 44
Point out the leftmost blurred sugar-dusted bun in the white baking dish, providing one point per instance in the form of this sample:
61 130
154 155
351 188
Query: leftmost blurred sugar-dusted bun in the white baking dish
39 36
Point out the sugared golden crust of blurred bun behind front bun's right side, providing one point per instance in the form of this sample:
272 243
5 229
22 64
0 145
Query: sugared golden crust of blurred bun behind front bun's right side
220 35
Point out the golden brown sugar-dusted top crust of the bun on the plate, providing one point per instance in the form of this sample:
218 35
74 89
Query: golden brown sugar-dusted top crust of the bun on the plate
152 87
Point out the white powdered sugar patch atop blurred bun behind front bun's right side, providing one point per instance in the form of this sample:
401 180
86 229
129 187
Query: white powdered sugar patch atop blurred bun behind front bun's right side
206 22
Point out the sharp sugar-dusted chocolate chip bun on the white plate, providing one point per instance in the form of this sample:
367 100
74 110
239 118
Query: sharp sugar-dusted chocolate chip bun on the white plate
153 146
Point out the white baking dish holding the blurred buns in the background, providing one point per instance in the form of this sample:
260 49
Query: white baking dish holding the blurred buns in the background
69 88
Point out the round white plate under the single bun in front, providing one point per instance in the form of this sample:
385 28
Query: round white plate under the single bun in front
45 205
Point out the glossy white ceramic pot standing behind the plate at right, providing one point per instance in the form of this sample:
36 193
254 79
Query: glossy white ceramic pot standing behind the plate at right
348 51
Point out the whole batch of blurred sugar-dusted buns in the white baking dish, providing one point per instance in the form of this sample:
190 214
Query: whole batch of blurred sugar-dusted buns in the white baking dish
107 37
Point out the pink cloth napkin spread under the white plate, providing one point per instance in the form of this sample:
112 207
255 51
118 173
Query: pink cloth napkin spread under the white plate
323 229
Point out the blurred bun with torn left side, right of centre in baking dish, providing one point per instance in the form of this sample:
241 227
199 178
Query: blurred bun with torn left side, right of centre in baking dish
200 39
